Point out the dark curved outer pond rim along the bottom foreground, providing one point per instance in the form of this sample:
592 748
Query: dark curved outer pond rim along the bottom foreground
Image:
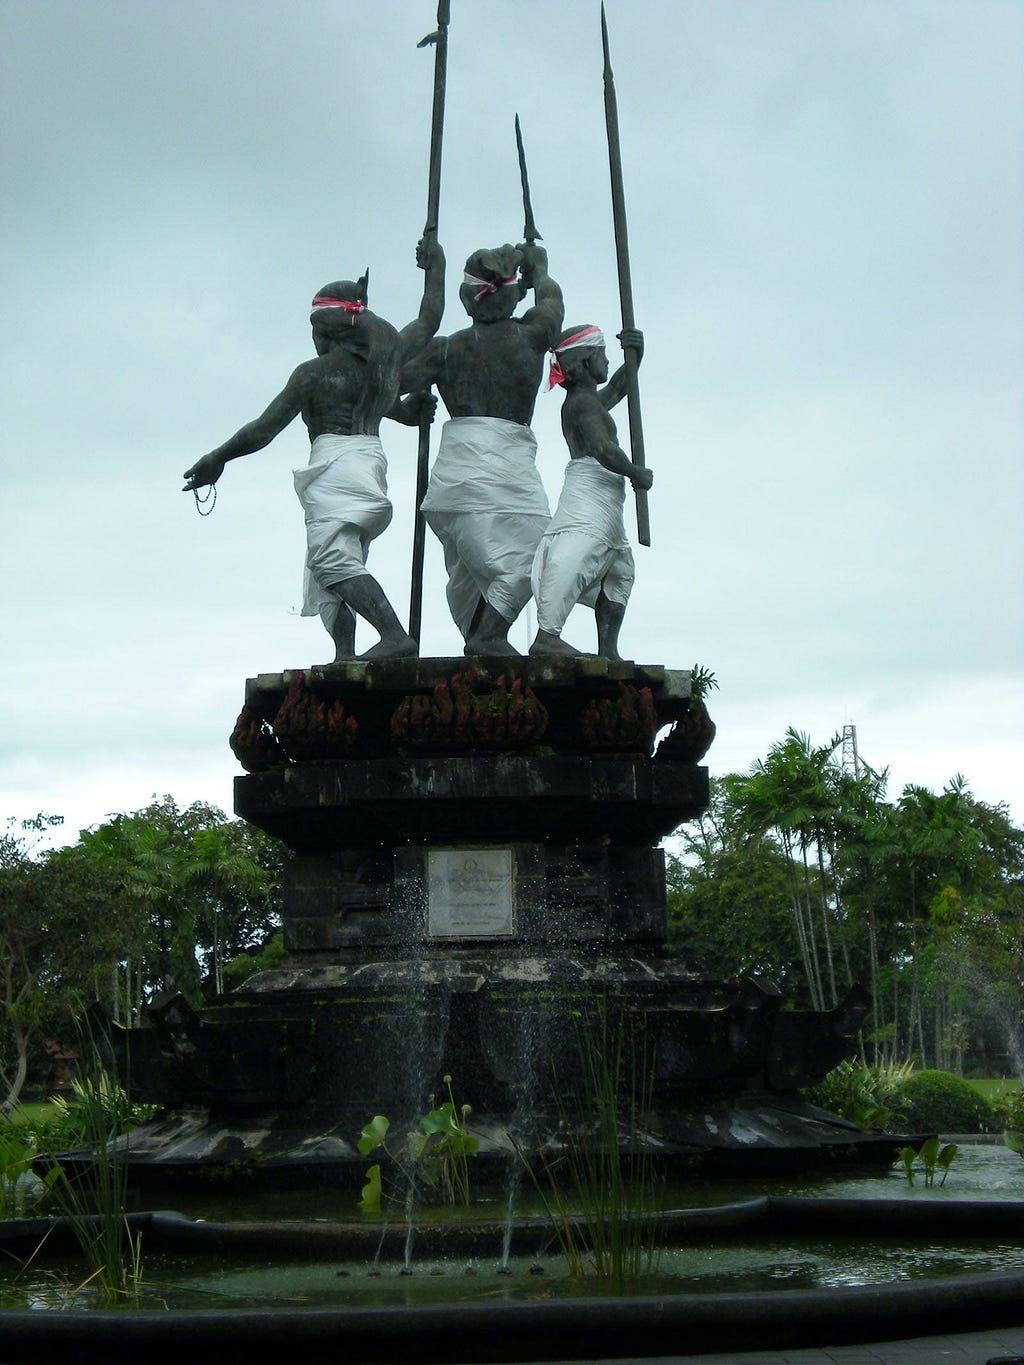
608 1329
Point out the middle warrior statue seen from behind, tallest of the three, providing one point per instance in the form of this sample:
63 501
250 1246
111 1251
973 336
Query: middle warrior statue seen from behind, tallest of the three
485 500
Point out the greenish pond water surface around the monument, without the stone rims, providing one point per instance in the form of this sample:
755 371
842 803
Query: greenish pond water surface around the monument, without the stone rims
756 1263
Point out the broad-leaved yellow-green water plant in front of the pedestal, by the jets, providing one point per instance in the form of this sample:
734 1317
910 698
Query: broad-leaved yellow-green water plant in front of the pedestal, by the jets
432 1157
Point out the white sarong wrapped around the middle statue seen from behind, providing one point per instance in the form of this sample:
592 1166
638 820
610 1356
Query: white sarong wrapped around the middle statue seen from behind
487 506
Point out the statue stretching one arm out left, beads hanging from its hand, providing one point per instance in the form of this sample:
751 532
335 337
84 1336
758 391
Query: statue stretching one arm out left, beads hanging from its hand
342 395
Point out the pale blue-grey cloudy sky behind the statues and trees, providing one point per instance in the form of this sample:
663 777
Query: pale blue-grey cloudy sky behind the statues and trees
825 215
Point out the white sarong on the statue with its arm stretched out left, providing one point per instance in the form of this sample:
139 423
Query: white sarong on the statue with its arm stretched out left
345 496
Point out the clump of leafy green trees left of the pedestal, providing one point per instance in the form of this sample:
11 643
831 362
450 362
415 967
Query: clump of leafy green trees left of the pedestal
139 903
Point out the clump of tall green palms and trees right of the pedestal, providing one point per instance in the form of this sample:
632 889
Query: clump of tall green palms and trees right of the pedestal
920 899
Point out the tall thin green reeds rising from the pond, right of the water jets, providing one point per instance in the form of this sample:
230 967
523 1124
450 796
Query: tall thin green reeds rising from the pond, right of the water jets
601 1194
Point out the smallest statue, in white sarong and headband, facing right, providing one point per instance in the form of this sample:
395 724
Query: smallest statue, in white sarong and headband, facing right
585 555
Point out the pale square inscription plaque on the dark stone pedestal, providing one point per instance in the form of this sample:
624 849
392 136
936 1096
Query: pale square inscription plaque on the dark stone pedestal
470 893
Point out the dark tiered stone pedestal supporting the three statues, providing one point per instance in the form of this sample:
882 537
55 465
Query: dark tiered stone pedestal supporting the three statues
476 863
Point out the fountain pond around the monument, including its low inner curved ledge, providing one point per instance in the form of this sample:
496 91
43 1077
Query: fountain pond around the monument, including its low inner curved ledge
312 1250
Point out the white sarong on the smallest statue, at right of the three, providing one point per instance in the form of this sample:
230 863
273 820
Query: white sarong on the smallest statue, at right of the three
585 551
